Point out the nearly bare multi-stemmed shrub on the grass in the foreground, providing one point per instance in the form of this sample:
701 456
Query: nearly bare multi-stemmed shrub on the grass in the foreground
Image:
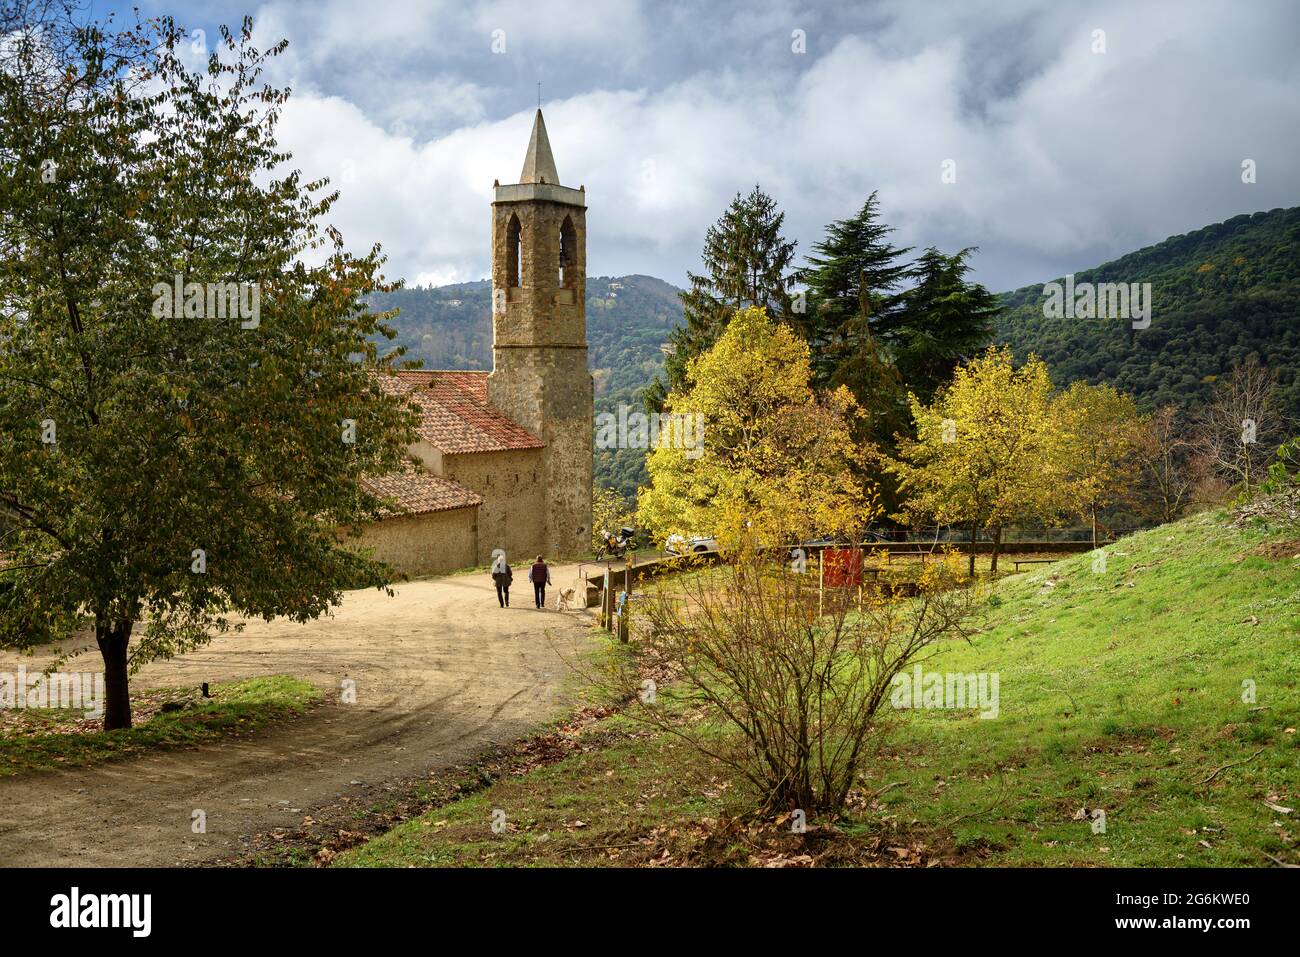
803 677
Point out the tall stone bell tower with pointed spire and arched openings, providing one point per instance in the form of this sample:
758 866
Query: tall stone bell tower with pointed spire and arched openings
540 376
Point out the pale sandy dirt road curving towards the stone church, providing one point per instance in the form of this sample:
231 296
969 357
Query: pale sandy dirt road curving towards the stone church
441 674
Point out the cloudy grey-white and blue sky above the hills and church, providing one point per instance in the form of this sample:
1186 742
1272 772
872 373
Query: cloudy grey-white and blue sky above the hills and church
1069 146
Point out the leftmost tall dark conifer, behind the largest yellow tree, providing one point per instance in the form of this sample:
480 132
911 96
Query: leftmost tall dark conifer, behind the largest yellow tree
747 263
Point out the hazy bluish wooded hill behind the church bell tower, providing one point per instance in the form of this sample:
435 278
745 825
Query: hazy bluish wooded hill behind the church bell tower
629 319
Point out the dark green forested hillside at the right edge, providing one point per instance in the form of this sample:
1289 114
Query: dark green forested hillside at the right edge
1219 295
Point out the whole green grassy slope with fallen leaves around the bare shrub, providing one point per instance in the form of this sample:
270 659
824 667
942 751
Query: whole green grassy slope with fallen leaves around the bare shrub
1120 690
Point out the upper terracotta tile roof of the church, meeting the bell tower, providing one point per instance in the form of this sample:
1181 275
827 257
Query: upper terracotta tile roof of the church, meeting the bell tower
456 415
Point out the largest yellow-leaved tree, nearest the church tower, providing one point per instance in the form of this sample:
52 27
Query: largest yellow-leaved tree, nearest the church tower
774 461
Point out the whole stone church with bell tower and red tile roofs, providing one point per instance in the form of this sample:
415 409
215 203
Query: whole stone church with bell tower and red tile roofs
506 457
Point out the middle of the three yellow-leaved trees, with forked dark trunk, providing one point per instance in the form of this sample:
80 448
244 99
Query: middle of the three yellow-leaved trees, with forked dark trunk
987 451
